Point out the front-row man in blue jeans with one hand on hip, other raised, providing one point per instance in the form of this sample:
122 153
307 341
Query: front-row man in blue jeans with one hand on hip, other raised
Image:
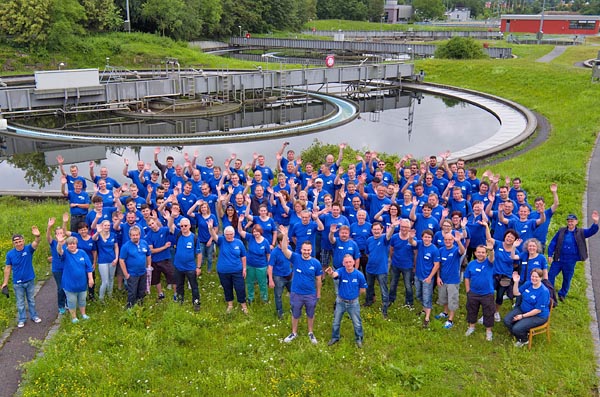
352 284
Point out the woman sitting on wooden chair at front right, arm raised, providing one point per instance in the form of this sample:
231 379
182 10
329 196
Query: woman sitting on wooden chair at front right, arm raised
533 310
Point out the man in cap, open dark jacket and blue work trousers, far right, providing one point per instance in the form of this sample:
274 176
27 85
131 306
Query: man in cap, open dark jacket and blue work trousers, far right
566 249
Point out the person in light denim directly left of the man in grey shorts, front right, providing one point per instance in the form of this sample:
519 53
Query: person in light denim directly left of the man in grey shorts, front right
426 267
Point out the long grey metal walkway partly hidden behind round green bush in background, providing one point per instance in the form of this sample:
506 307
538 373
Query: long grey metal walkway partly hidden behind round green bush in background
358 47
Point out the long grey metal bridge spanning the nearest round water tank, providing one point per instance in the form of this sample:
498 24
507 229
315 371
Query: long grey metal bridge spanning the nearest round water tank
128 89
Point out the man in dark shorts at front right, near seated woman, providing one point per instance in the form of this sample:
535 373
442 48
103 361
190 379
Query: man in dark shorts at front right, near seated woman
479 286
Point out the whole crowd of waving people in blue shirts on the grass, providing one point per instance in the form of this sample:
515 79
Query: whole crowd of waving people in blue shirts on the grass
428 222
